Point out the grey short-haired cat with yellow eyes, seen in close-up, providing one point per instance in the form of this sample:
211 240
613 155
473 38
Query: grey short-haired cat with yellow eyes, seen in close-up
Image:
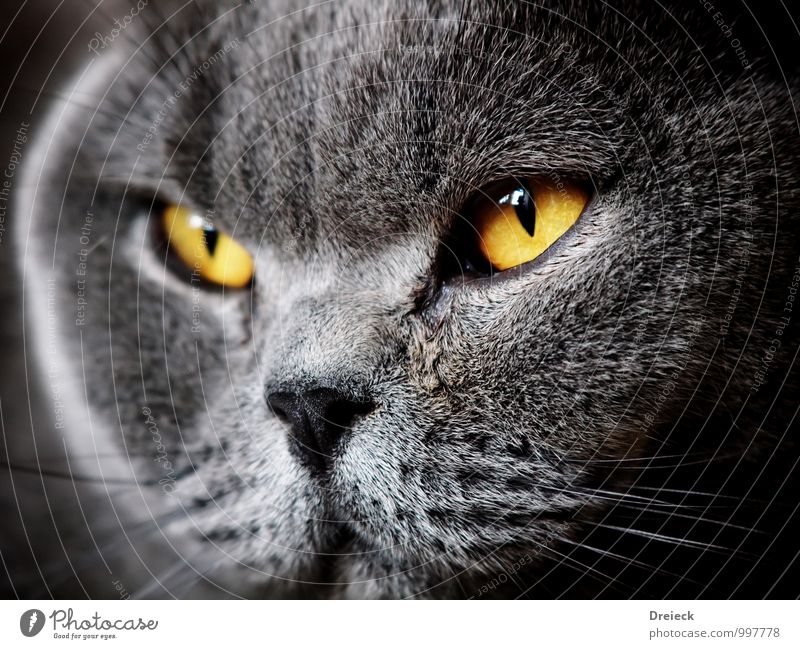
380 408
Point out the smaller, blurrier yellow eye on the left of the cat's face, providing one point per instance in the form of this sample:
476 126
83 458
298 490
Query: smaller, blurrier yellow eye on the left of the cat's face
206 251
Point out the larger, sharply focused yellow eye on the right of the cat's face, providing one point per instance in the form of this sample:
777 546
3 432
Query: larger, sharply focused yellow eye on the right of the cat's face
521 221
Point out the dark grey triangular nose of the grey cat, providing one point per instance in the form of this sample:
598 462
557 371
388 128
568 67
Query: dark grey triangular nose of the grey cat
319 419
